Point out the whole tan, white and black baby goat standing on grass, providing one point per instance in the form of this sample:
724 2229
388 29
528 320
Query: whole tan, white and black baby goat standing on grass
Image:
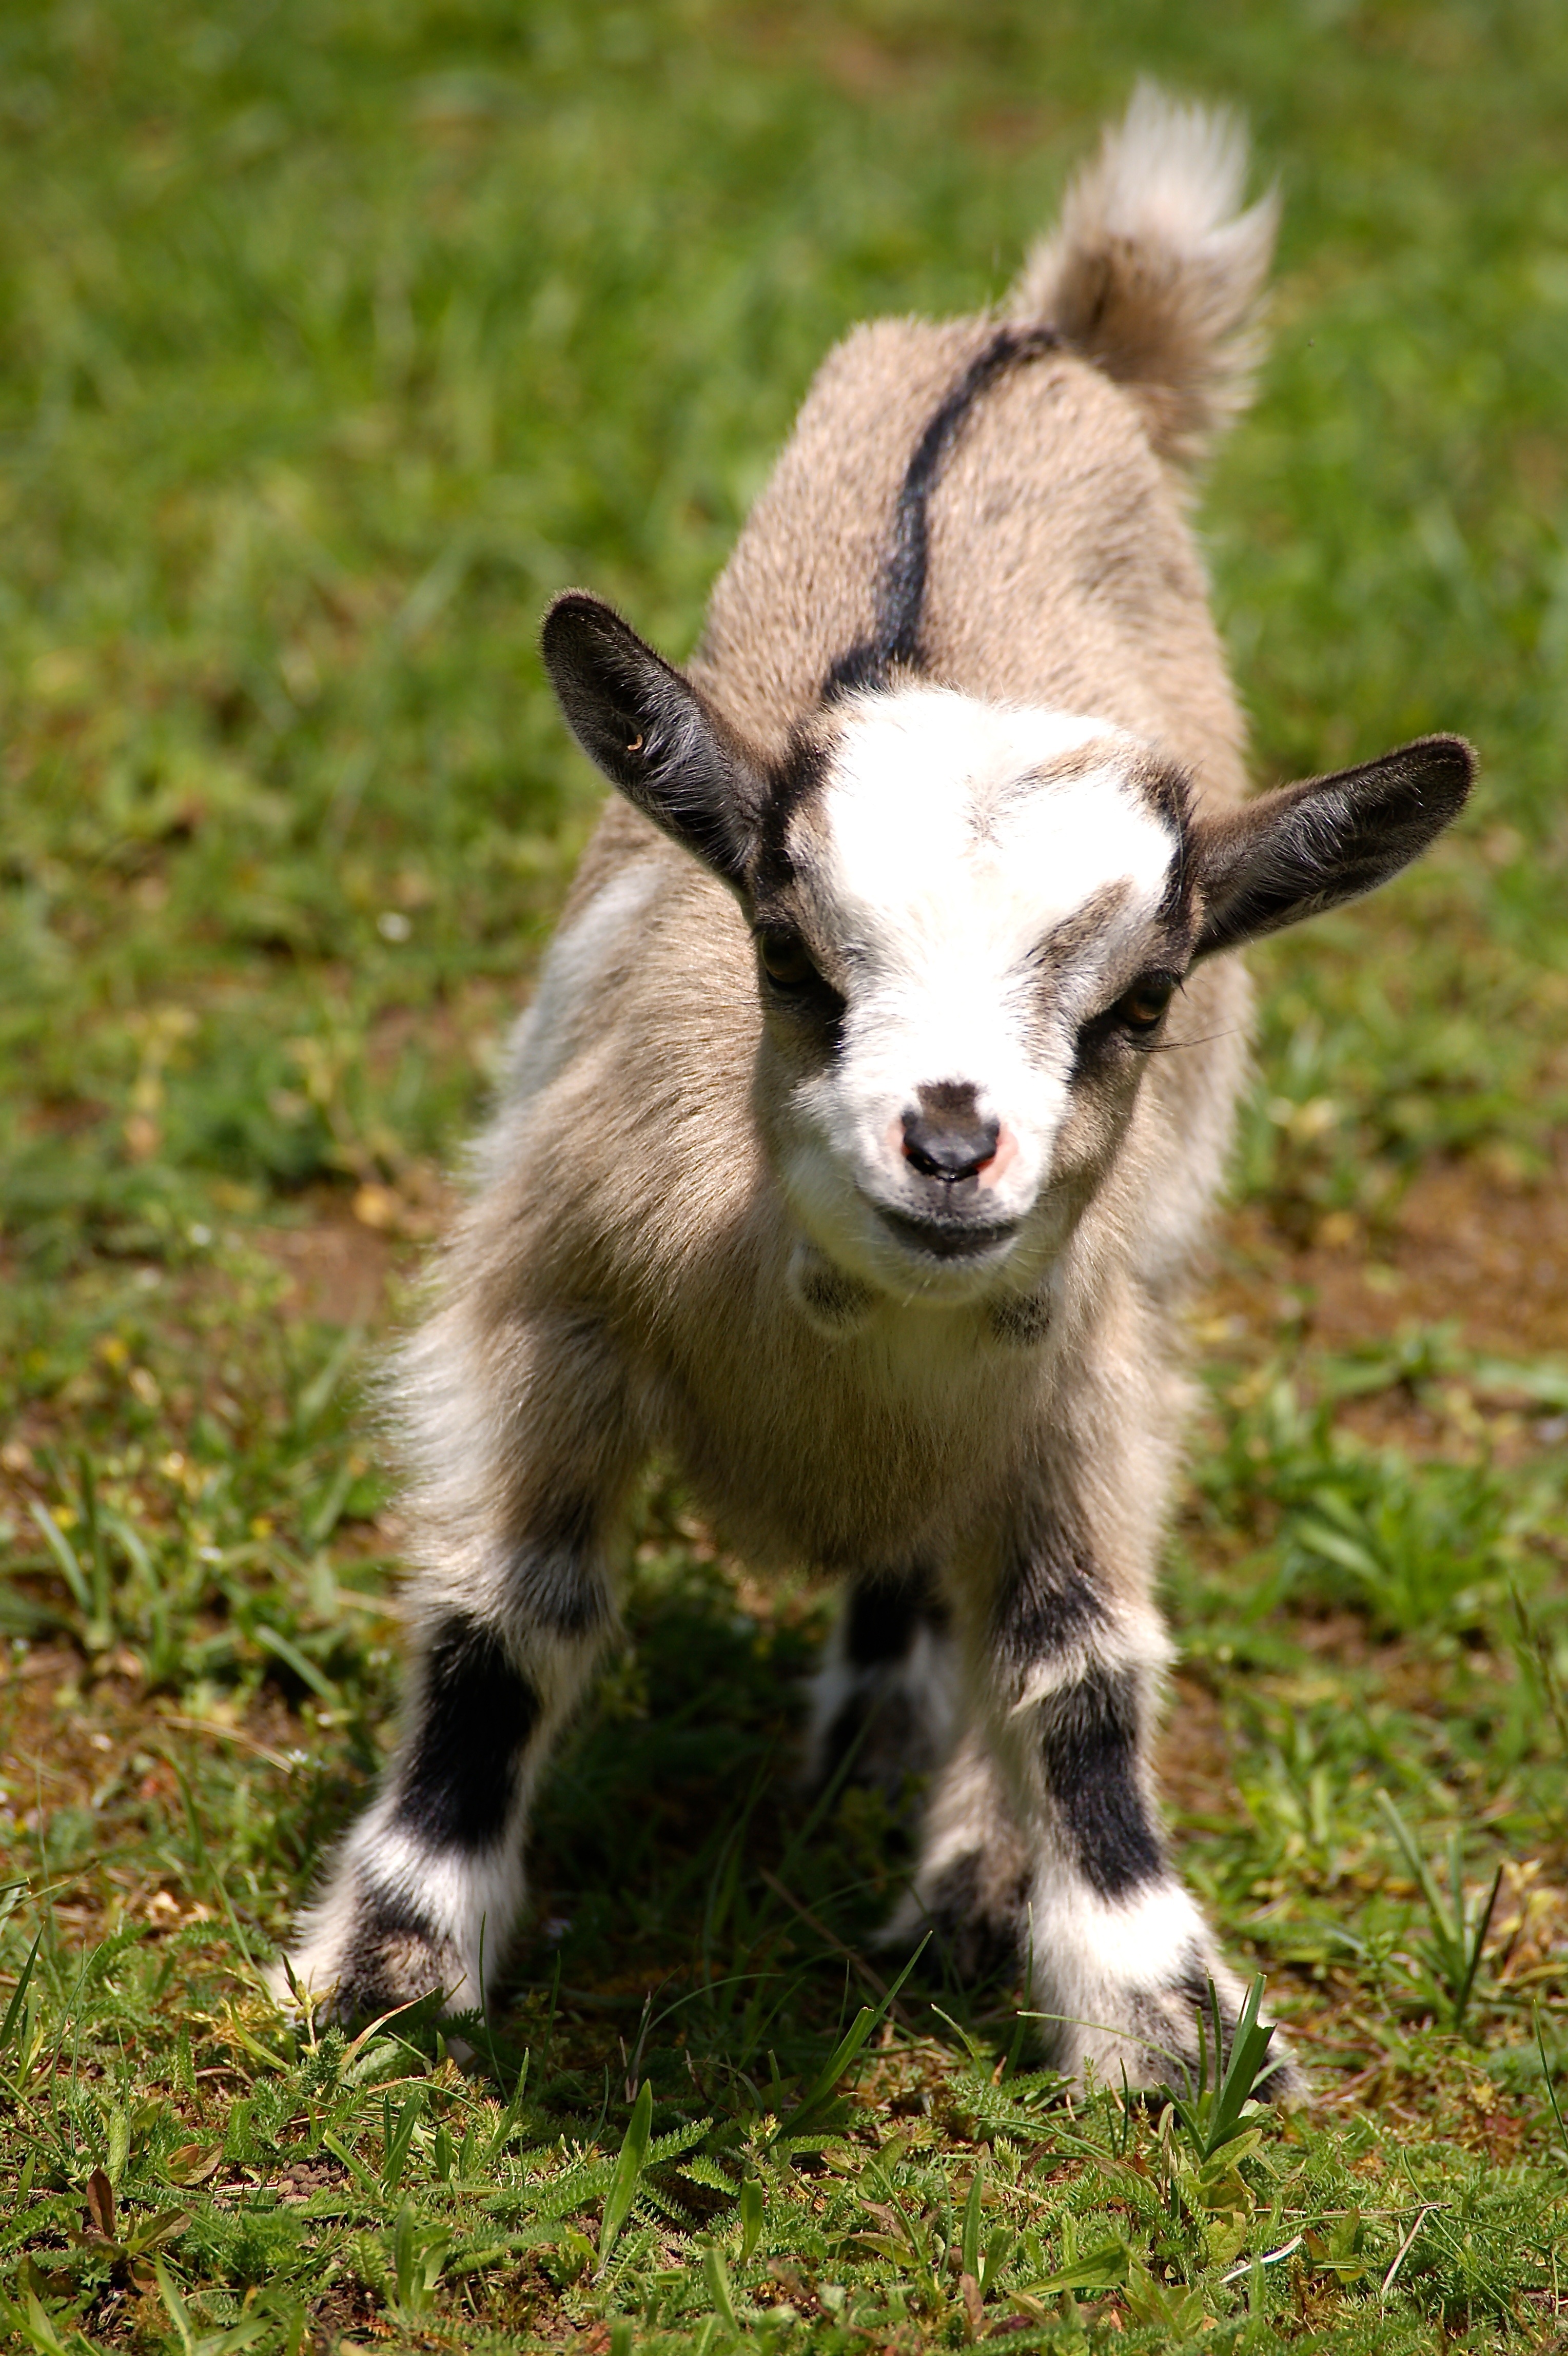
865 1120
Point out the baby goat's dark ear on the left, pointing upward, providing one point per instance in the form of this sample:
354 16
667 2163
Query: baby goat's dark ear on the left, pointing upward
653 734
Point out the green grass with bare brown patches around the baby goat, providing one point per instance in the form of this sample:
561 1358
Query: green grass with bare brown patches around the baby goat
333 340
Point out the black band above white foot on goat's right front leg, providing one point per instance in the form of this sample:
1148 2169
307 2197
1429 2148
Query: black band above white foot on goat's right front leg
1091 1766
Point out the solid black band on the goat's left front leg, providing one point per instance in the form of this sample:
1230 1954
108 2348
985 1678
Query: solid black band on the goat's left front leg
474 1723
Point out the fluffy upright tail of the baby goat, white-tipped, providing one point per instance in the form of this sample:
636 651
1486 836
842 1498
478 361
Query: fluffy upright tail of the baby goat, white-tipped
1155 274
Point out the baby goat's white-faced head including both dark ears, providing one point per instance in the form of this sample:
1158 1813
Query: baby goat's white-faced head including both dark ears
971 922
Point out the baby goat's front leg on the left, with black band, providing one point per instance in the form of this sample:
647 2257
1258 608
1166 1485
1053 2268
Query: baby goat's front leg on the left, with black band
510 1620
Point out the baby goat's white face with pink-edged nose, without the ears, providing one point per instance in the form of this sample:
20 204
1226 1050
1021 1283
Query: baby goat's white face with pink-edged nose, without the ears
969 889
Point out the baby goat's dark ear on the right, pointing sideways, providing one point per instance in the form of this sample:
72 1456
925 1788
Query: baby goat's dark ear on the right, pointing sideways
1310 847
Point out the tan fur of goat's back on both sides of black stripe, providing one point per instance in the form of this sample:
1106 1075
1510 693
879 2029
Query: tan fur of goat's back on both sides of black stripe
1061 564
